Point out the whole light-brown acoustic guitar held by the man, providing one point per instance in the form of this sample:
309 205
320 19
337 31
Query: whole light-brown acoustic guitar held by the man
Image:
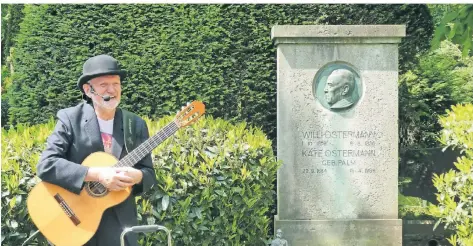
68 219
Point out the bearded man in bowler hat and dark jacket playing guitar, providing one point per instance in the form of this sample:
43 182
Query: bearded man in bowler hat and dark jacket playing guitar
96 125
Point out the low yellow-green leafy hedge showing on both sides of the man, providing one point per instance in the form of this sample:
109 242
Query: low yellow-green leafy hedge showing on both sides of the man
215 184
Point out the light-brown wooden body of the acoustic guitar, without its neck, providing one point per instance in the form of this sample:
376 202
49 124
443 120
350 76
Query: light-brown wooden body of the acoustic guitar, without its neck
67 219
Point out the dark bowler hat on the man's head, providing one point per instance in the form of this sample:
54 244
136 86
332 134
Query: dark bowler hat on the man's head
98 66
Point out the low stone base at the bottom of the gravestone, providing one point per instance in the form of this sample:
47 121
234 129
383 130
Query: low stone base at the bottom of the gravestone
341 232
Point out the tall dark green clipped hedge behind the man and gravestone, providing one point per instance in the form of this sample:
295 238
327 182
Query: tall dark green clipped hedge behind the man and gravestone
220 54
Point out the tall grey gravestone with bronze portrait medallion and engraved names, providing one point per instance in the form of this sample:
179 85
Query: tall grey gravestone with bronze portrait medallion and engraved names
337 134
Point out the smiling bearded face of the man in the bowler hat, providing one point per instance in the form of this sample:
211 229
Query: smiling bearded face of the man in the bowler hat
107 85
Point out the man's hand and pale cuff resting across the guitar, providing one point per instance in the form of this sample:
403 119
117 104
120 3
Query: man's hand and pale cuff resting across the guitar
112 178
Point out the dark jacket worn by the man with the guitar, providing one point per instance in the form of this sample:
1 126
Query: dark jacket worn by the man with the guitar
76 136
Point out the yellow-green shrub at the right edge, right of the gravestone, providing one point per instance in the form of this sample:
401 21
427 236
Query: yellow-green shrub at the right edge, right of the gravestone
455 187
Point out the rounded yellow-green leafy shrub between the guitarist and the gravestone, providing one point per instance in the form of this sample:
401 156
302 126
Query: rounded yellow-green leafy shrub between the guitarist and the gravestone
215 185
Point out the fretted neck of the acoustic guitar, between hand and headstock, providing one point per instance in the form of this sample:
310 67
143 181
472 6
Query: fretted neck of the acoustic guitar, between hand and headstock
146 147
